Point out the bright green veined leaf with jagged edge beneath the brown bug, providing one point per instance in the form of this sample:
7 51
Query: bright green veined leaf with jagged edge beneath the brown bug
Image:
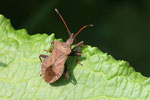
100 78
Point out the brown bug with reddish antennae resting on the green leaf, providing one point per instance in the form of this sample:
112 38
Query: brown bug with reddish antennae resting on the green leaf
53 66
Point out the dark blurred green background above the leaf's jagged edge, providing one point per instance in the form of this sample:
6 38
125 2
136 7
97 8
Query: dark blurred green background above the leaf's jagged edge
121 27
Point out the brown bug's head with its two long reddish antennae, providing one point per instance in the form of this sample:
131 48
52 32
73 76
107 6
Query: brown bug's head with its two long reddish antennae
71 35
